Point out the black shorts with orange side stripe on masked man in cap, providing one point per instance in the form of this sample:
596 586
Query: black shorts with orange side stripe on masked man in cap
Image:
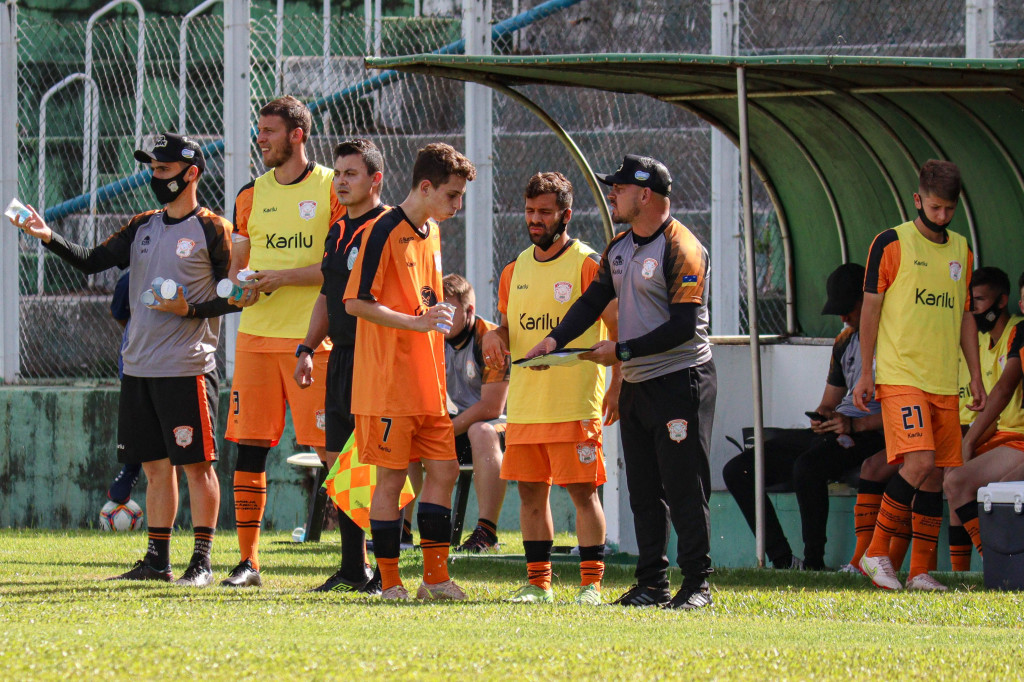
167 418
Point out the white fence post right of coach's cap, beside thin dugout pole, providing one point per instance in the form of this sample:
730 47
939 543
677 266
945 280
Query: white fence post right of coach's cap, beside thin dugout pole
726 238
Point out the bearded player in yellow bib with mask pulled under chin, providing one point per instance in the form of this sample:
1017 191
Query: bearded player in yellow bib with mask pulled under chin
554 431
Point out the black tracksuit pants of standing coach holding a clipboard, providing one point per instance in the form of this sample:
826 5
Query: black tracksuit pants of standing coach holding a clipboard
666 427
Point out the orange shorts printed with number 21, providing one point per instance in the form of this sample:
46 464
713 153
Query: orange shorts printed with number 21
915 421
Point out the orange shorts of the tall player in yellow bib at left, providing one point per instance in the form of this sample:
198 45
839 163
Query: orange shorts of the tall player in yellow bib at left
264 385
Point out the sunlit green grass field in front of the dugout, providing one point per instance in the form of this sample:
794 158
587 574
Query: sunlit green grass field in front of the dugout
61 620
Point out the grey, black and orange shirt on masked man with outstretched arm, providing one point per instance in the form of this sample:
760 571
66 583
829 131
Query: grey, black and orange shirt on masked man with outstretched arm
196 252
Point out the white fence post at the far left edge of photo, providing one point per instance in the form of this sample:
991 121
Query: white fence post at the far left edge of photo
10 297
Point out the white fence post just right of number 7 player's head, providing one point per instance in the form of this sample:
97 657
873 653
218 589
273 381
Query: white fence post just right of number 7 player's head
480 149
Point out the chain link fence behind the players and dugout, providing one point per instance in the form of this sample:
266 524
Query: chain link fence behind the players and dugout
66 329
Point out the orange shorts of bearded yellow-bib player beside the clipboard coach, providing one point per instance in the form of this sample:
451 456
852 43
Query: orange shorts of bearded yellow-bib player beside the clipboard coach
561 454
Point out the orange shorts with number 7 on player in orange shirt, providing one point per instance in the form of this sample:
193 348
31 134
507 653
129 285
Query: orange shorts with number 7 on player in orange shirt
395 442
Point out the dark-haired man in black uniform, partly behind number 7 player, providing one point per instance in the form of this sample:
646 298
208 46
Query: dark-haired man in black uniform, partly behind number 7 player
359 175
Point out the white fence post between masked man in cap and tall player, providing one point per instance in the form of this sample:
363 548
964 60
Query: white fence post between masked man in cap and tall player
237 126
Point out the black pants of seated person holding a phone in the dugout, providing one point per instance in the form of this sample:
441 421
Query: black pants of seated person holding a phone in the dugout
809 461
